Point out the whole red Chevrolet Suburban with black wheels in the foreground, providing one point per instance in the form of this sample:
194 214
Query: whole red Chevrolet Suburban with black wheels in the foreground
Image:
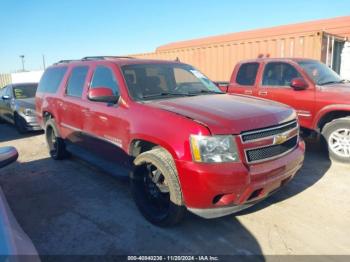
184 144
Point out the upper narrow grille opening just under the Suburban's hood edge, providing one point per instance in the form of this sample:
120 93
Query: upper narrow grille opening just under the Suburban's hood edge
267 132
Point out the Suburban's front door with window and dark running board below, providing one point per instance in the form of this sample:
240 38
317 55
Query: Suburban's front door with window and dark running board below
103 125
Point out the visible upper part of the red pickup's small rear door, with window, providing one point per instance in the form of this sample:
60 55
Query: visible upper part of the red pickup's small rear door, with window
244 81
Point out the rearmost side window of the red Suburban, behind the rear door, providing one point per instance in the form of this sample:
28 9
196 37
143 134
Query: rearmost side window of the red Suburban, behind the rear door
51 79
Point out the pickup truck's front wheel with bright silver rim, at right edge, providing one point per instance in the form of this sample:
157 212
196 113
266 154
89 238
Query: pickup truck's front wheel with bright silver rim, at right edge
337 136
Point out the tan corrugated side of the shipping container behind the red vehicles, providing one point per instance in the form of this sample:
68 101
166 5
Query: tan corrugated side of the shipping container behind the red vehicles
218 60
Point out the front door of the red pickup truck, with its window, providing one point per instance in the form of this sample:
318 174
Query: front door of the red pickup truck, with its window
275 85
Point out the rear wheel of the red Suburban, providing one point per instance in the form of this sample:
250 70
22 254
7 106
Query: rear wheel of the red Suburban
56 145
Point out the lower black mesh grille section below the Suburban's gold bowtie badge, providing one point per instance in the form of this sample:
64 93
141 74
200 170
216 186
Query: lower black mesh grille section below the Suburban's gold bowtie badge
265 153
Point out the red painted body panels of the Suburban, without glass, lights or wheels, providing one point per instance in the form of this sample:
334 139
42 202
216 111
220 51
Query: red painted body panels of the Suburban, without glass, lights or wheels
169 124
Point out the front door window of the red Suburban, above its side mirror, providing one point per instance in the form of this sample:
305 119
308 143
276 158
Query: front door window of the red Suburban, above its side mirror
104 77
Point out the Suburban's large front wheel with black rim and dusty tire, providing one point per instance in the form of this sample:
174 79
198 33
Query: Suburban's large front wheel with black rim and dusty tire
156 188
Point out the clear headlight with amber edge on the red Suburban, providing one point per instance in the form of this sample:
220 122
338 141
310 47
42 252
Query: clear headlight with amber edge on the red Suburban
214 149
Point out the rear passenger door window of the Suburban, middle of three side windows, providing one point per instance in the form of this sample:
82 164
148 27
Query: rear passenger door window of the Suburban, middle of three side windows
75 85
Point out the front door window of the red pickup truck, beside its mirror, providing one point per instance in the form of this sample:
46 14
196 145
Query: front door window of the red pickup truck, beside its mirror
279 74
